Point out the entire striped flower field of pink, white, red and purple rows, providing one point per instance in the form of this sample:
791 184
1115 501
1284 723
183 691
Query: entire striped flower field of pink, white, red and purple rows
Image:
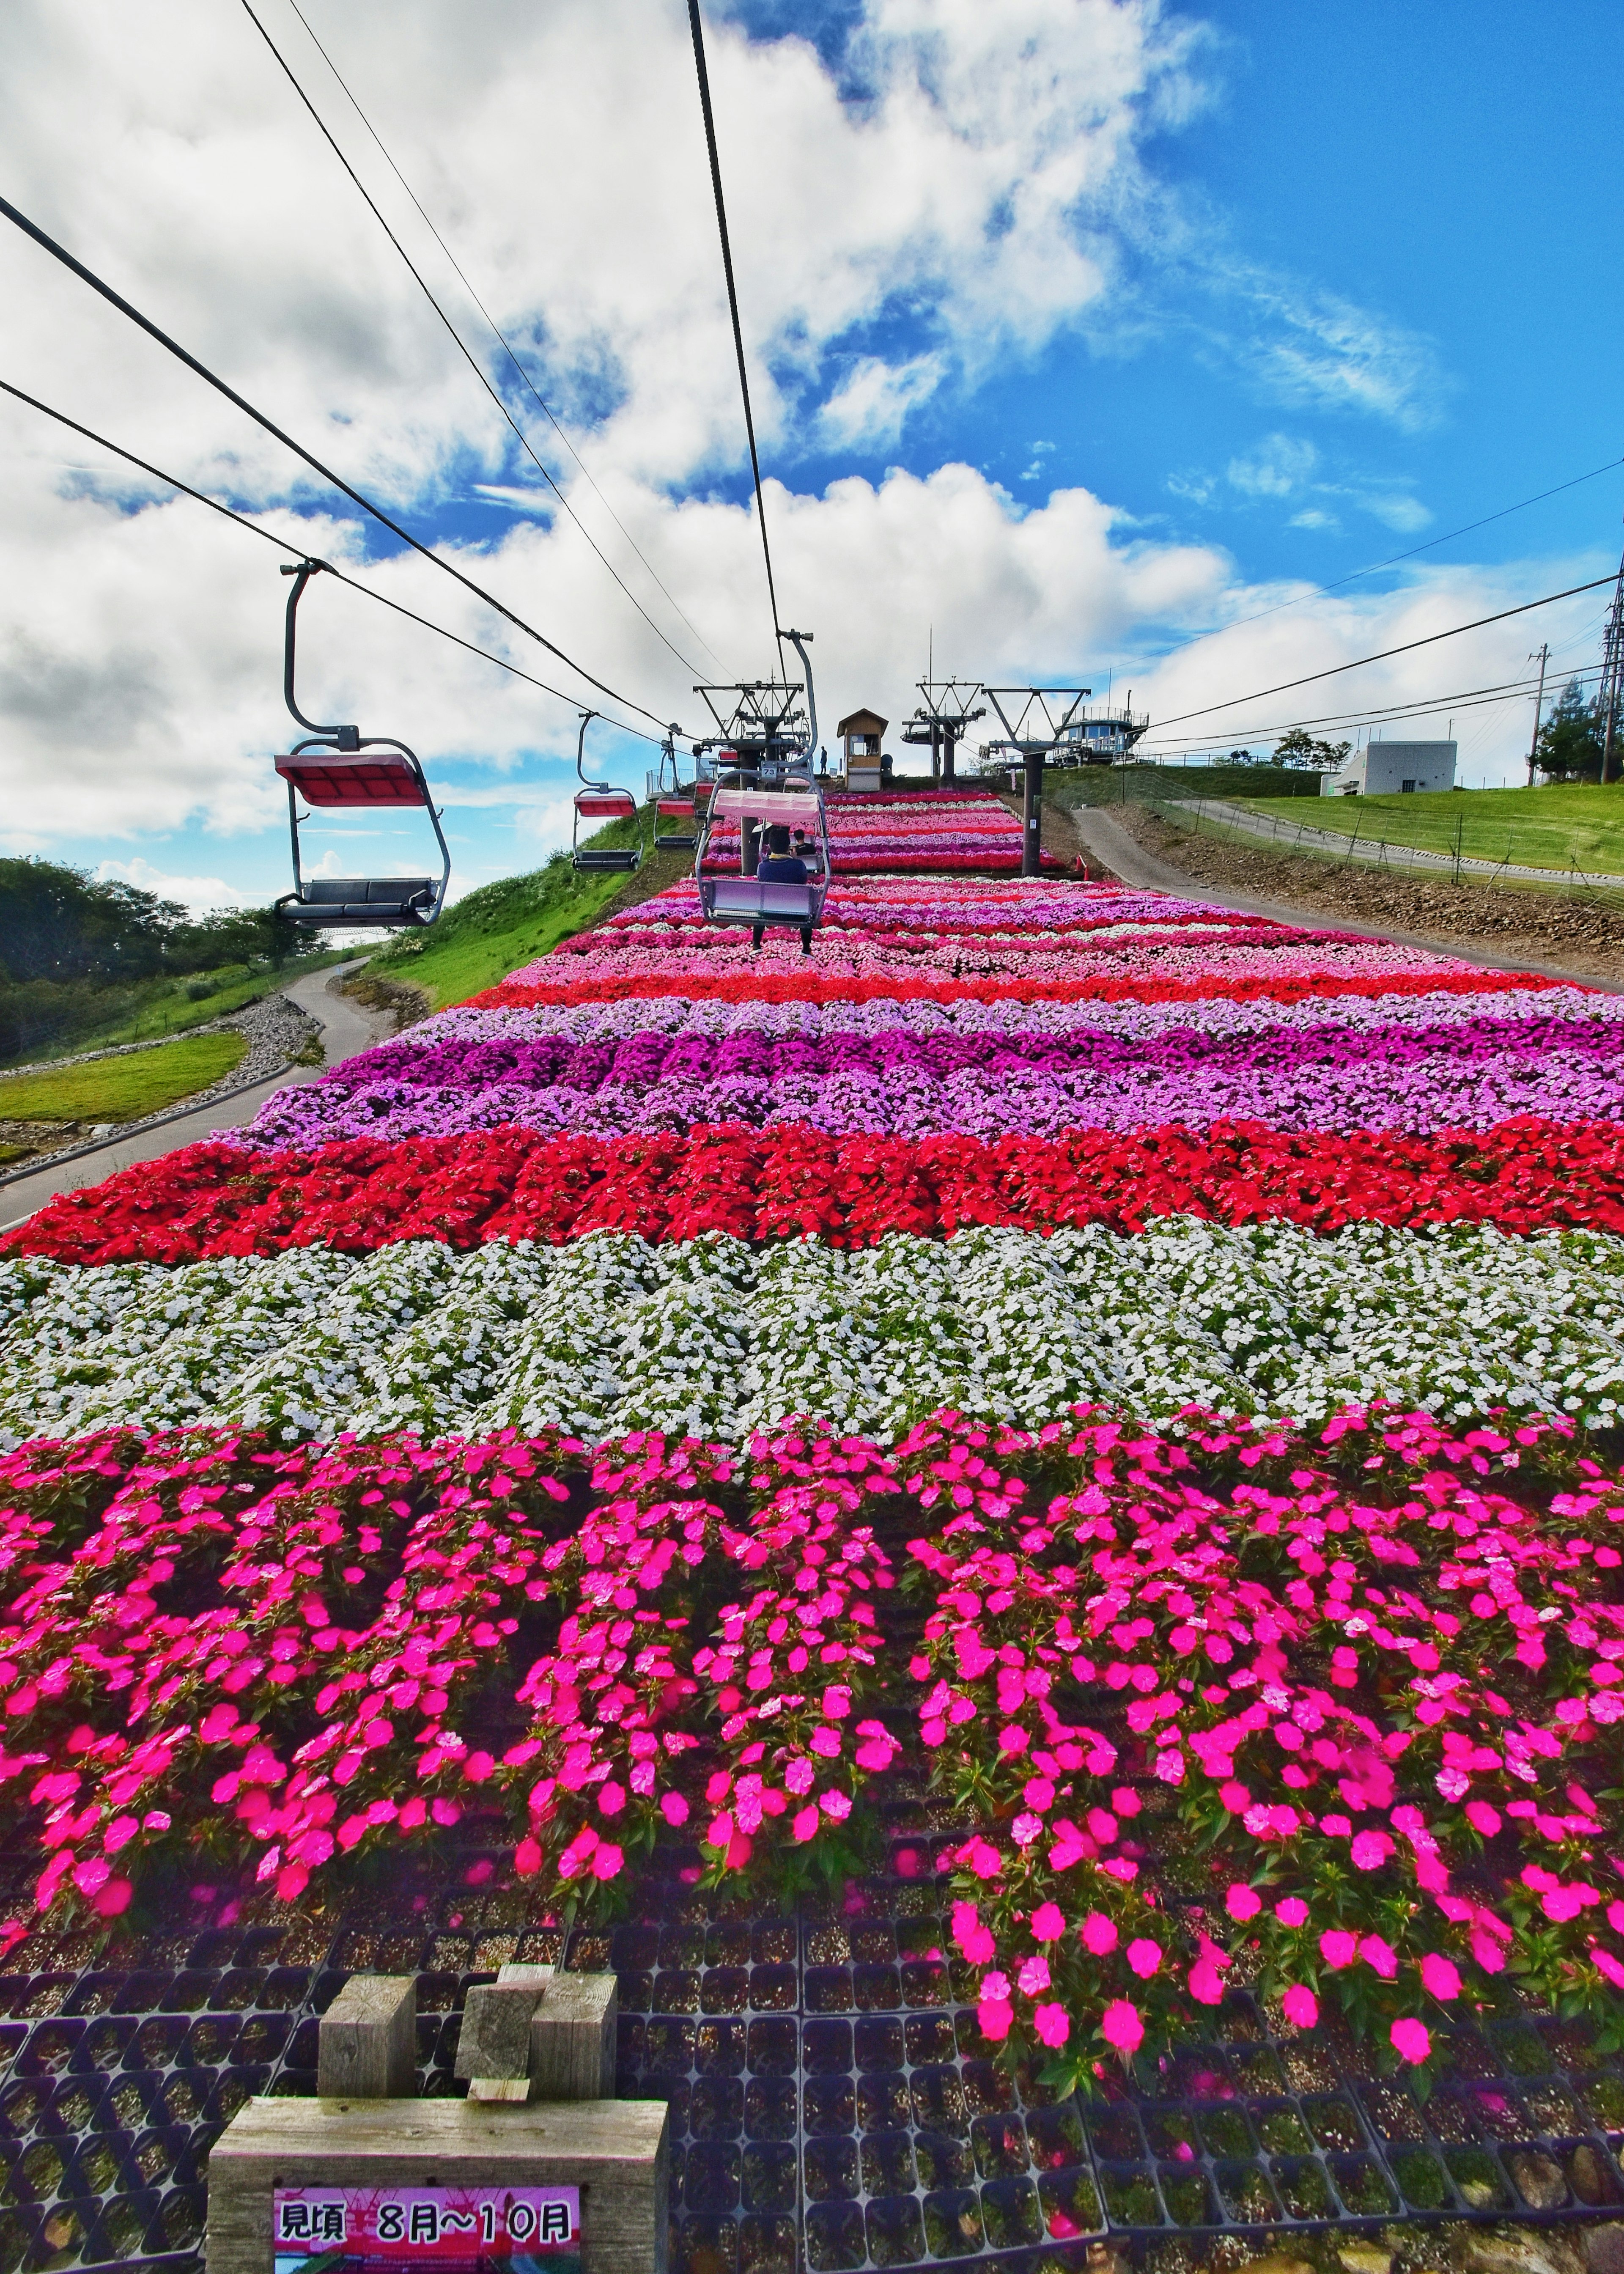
1091 1411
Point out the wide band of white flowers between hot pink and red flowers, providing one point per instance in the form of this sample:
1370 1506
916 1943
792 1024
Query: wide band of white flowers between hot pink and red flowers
718 1338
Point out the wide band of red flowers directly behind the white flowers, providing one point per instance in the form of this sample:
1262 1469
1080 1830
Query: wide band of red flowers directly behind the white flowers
788 1184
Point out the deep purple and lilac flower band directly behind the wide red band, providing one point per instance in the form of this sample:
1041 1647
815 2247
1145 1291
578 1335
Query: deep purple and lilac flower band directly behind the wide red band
1473 1074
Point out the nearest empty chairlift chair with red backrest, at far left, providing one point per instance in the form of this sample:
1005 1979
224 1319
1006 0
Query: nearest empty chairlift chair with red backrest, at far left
340 767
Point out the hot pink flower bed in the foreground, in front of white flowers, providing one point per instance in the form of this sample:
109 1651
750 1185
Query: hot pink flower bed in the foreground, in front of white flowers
1343 1704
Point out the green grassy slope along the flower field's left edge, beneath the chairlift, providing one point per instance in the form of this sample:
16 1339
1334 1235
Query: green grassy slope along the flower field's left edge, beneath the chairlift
506 924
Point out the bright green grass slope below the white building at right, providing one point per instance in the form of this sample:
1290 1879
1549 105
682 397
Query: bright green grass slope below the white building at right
1539 829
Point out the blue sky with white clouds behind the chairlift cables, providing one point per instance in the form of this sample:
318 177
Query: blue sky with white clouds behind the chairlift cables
1084 338
